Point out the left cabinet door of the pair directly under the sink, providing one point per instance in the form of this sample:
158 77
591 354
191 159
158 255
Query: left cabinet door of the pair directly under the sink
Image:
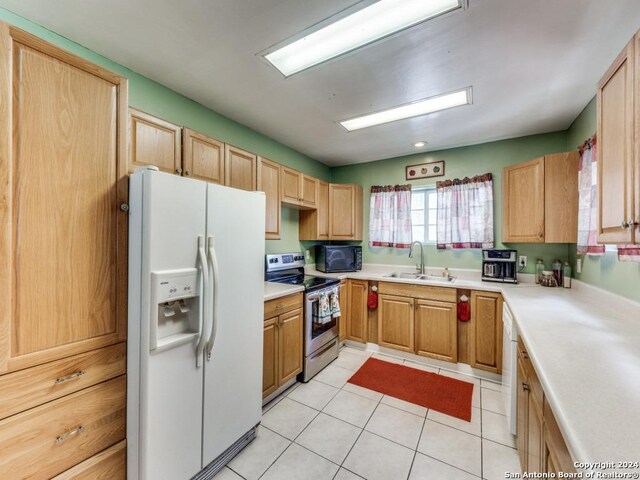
395 322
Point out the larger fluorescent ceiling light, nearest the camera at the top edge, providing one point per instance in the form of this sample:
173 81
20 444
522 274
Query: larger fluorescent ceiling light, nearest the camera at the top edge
341 34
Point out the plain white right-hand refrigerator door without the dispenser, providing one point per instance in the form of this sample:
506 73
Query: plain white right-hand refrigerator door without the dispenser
233 370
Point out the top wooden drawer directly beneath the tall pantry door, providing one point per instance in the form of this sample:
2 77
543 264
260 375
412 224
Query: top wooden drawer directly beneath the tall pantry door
37 385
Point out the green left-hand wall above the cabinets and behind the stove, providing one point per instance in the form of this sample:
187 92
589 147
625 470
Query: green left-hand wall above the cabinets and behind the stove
152 97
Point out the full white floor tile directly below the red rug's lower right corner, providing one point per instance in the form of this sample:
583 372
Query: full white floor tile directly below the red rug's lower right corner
452 446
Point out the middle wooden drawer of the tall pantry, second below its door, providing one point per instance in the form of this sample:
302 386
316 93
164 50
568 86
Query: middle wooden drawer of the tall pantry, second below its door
47 440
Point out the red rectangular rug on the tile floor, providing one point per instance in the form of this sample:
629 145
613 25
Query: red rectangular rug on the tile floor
440 393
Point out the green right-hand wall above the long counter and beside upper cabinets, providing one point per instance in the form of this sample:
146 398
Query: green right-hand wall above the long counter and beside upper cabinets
605 271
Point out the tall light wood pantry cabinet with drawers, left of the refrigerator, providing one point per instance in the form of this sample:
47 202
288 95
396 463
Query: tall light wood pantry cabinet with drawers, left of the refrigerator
63 277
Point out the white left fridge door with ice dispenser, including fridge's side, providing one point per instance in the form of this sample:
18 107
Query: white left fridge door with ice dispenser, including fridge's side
168 214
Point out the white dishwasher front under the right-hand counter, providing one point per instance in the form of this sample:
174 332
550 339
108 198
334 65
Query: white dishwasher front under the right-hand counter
509 366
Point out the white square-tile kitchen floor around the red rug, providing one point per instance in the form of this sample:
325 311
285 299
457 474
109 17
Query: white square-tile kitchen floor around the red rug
328 429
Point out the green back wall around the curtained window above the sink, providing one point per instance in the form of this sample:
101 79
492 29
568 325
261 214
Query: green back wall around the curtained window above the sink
459 163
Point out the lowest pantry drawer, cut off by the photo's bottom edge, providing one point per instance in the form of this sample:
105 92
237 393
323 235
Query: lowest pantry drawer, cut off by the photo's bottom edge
111 464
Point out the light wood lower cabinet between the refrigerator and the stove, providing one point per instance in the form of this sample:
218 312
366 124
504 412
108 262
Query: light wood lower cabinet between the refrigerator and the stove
282 342
